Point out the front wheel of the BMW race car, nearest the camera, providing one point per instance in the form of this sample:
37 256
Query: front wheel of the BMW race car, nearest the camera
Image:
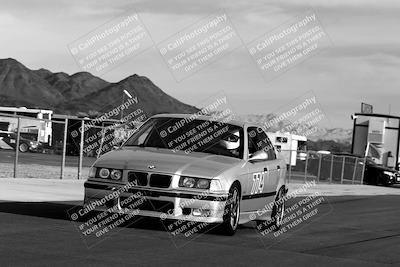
231 212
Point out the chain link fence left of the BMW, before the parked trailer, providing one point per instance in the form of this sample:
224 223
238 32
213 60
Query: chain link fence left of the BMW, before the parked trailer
26 151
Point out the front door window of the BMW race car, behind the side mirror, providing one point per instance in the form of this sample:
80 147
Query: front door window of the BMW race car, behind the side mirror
258 140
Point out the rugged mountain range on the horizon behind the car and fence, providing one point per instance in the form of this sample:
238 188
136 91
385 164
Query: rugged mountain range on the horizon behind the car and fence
84 94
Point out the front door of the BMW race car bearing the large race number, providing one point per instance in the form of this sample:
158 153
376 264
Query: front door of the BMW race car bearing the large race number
263 173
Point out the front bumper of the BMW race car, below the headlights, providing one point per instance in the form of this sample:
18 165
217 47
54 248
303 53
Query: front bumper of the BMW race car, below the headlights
155 202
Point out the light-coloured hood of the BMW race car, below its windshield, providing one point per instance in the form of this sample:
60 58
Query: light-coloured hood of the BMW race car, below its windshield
166 161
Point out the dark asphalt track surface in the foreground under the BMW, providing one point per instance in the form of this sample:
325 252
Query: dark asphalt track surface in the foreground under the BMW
348 231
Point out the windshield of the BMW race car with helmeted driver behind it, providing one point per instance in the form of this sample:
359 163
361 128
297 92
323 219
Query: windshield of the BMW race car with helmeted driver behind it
190 136
